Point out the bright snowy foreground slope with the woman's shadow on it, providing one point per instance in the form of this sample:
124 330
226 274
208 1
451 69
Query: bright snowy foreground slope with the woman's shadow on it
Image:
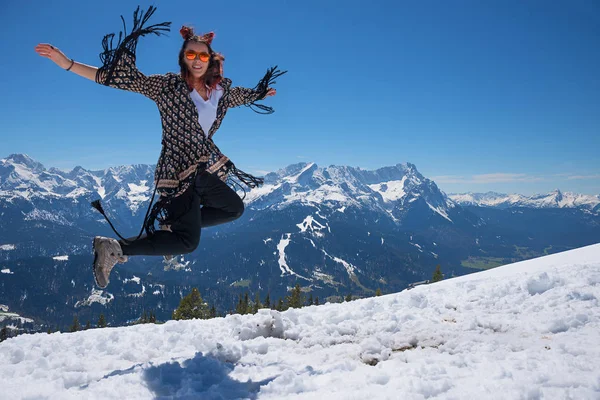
530 330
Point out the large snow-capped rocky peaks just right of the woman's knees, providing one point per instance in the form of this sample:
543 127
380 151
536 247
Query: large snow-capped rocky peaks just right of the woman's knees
391 190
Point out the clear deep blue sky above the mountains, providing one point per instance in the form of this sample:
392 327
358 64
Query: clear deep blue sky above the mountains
480 95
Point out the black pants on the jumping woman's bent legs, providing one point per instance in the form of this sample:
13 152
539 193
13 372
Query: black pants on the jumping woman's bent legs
220 204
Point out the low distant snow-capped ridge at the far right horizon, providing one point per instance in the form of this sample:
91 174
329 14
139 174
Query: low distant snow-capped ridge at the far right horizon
554 199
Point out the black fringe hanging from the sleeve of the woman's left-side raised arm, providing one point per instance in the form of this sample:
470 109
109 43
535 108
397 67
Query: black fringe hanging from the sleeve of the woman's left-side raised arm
127 42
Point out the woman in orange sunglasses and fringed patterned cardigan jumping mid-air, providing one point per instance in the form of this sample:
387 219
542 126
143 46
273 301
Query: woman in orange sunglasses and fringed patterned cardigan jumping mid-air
191 171
